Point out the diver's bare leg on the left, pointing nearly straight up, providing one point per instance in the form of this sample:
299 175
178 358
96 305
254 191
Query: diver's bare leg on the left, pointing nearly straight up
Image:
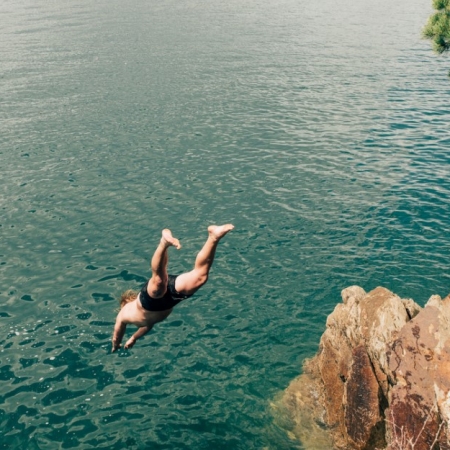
157 285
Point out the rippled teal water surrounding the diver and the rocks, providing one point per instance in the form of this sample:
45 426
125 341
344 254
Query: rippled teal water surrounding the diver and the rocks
320 129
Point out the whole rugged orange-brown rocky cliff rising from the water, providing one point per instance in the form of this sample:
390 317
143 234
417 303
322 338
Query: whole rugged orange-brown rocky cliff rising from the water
381 377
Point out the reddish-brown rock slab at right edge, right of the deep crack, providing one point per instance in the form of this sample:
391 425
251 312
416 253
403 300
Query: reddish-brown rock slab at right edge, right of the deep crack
420 361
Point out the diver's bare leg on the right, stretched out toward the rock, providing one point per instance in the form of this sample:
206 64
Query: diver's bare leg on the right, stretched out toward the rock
189 282
